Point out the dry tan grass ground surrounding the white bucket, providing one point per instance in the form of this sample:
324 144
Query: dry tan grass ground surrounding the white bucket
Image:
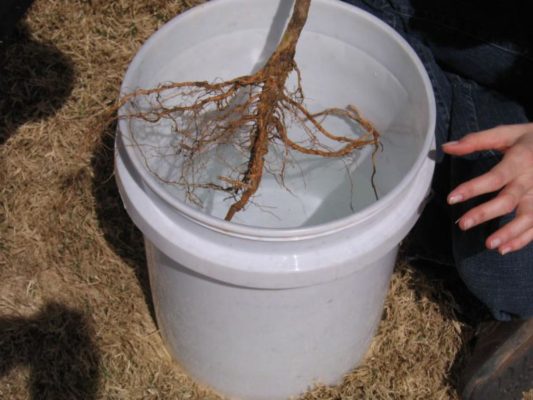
75 316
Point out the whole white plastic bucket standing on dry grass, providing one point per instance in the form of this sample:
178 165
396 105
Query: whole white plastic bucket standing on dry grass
259 309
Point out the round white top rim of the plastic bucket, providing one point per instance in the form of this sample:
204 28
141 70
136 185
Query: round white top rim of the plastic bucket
289 233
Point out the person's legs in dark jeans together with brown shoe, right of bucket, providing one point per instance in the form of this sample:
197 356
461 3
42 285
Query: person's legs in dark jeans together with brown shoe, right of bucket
502 365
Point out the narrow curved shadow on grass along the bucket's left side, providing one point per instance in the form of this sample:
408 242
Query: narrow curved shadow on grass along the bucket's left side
119 231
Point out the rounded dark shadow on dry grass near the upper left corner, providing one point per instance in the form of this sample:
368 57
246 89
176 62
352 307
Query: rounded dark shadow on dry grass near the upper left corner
35 78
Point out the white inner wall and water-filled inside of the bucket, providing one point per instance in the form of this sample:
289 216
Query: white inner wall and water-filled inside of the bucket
337 71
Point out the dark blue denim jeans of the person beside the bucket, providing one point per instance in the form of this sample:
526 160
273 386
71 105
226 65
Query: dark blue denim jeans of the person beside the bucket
479 58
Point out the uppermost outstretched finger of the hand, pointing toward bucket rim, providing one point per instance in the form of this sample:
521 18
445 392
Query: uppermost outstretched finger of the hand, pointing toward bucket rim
499 138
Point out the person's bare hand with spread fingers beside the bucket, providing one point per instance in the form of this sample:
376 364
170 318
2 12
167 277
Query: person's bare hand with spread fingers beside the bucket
512 177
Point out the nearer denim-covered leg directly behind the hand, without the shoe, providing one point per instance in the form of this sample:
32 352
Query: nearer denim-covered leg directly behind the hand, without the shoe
503 283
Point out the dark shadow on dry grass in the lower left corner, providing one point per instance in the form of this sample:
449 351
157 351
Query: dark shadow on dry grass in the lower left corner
56 346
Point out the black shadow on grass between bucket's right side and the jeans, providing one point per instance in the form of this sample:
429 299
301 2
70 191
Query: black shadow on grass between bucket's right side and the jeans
431 240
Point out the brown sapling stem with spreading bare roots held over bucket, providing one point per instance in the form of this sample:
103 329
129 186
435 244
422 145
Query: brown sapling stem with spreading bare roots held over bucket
251 113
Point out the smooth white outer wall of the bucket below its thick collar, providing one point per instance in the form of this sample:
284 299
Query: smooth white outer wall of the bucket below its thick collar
292 336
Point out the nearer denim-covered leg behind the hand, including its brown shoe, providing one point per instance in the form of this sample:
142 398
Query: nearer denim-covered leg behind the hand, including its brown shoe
501 366
